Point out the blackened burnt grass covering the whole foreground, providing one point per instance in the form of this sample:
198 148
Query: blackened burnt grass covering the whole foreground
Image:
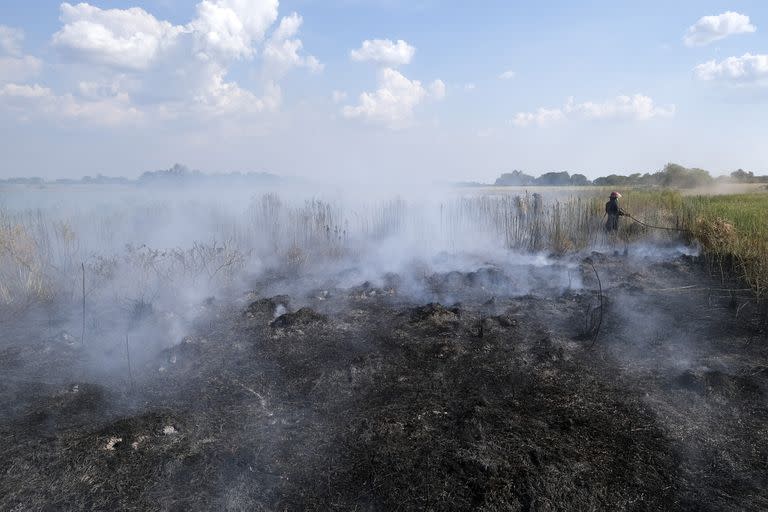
365 399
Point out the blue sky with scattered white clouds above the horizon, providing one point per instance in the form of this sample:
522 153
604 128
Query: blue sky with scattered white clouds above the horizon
371 91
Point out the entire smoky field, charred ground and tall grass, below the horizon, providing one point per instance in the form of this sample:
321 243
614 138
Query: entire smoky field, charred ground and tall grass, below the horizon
441 350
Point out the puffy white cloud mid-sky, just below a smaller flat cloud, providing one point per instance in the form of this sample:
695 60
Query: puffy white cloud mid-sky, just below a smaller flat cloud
393 103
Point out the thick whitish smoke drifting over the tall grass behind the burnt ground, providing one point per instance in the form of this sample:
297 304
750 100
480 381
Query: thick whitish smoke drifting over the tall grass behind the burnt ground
158 259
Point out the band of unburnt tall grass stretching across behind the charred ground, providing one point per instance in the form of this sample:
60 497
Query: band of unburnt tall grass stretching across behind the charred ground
40 256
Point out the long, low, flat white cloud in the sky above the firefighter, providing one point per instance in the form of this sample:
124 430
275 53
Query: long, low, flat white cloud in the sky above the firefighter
637 107
